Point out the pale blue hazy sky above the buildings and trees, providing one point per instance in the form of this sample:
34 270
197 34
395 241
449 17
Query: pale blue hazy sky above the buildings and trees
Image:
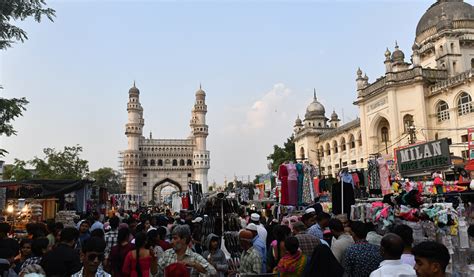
258 62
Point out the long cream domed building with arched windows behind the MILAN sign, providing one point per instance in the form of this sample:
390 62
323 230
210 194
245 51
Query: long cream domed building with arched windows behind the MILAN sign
431 97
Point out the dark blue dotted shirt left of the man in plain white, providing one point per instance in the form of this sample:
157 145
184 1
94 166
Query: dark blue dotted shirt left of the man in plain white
361 259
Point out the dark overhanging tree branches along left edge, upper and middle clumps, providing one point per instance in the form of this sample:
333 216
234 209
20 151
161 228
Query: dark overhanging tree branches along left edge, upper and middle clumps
13 10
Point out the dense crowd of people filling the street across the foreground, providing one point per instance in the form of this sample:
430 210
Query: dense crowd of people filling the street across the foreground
146 244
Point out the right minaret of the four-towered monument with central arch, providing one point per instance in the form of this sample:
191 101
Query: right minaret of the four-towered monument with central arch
199 131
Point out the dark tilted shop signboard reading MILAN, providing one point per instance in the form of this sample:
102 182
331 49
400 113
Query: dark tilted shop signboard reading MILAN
424 157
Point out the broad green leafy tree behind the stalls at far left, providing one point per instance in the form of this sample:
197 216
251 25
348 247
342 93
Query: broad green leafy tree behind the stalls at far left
66 164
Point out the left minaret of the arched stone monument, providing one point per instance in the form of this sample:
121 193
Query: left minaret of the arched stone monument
133 131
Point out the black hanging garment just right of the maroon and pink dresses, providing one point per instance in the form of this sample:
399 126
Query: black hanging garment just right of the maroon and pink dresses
347 194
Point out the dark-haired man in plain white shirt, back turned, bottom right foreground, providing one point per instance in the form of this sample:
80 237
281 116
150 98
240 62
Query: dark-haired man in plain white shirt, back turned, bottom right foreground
391 248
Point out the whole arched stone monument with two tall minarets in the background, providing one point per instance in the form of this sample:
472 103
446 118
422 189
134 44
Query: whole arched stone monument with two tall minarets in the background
152 164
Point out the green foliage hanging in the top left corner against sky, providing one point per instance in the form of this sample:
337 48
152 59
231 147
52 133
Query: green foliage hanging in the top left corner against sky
13 10
